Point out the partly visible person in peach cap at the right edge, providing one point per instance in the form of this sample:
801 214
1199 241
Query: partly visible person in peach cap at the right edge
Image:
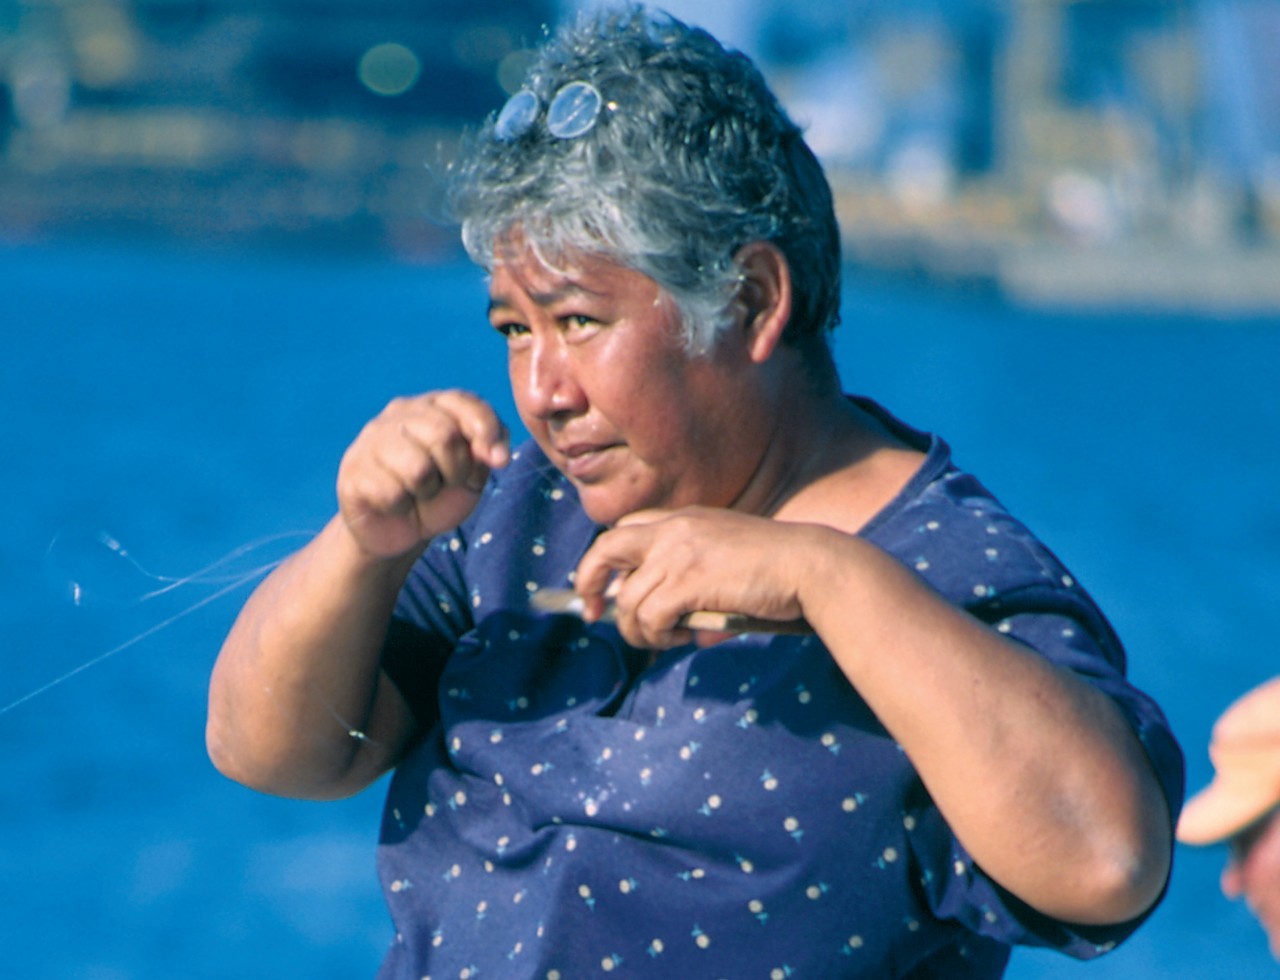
1242 805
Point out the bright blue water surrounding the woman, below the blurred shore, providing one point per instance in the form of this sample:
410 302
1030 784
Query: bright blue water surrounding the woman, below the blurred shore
190 405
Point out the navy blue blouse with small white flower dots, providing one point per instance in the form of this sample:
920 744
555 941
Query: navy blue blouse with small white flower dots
734 812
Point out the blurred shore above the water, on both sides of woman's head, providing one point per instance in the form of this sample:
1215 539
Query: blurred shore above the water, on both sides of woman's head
1057 152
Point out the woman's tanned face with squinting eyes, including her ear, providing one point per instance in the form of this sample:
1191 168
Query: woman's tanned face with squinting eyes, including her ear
602 381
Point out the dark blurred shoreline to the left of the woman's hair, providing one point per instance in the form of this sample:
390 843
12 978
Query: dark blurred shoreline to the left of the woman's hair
303 121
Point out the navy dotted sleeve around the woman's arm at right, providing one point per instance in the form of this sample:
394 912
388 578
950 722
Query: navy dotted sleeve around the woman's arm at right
959 541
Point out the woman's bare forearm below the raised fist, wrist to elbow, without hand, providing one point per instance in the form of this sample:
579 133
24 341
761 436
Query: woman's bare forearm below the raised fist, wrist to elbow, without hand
299 706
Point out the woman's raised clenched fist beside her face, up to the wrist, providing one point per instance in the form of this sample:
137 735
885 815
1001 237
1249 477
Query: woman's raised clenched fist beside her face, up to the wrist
418 469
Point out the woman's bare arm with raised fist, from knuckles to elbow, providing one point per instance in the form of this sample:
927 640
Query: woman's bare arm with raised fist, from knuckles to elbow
299 704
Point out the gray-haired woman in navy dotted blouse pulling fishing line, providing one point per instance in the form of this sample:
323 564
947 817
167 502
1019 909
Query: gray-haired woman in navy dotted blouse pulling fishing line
949 763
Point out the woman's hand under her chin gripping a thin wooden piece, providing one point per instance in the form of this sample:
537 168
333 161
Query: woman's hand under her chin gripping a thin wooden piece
657 566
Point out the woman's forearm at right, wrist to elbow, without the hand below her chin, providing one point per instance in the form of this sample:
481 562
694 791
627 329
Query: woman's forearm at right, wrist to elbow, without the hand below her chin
1036 771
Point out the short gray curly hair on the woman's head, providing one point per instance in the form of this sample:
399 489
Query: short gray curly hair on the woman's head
691 159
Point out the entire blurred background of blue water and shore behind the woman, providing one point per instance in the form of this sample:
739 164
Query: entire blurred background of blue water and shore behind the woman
222 251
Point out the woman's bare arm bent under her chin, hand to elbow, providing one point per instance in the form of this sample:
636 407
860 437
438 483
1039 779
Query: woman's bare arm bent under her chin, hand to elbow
1037 772
